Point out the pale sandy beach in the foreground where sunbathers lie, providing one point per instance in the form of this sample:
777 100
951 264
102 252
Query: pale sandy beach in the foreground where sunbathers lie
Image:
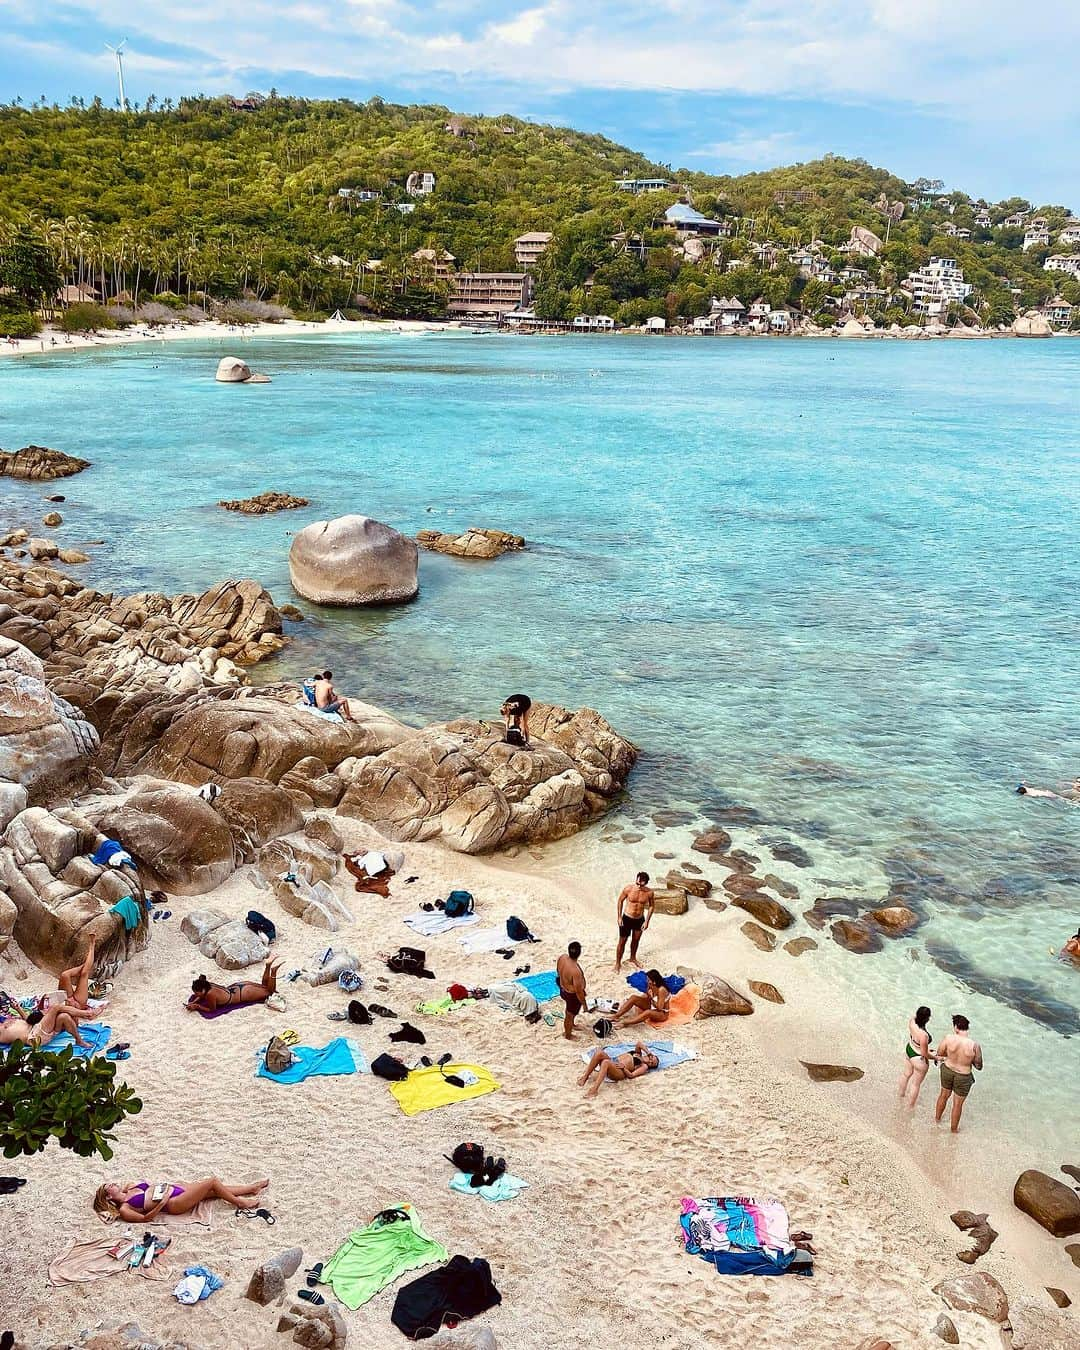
592 1244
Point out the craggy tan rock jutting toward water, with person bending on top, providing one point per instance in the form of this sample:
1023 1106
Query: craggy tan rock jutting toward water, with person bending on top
462 785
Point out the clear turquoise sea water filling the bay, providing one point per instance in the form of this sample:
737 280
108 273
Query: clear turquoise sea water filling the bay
835 583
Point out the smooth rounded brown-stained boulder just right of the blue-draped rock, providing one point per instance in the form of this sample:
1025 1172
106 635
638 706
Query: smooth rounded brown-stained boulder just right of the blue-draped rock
180 842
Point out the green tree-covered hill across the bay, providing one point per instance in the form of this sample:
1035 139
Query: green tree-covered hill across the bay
206 199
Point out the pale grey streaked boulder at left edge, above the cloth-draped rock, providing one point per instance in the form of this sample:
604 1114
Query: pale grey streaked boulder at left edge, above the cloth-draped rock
43 738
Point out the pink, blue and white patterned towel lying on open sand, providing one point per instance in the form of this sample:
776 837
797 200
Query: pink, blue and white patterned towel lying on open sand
738 1235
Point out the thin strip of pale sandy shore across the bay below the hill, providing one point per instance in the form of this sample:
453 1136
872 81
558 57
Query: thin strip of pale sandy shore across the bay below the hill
53 341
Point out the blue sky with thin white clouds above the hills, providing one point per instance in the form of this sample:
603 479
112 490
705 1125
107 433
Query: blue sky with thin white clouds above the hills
983 94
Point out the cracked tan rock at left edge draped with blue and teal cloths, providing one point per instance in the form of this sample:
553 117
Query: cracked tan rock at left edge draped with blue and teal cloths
60 897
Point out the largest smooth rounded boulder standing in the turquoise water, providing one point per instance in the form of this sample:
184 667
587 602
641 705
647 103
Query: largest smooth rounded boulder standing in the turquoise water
353 561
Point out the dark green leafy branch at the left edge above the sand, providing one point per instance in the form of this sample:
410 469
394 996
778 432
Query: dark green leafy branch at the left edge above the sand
78 1102
